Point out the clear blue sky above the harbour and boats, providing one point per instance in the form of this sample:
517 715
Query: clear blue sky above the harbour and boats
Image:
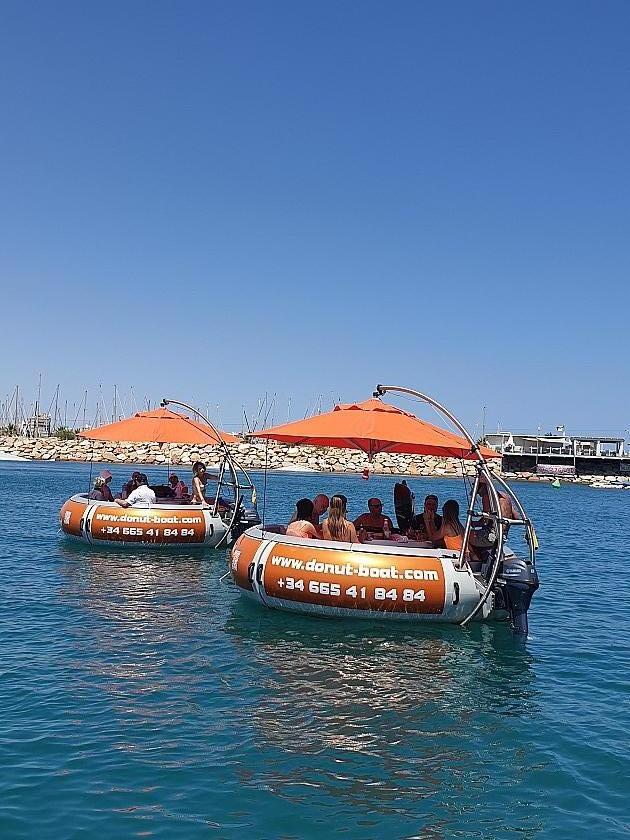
214 200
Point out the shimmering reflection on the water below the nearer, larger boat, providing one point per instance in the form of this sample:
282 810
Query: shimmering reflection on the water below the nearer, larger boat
394 710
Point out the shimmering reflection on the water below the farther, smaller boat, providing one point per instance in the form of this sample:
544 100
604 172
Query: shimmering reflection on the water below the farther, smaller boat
136 615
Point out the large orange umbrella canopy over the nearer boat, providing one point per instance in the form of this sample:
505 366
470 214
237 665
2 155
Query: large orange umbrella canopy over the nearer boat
375 426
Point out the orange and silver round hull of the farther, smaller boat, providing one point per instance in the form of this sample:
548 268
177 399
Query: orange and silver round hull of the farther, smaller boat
160 526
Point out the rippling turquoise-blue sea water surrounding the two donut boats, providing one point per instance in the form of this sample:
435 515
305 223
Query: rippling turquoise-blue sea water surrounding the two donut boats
141 696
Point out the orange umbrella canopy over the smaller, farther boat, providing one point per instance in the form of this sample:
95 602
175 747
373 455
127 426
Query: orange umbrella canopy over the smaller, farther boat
159 426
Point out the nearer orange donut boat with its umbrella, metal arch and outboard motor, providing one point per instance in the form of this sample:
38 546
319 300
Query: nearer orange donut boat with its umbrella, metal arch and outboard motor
392 579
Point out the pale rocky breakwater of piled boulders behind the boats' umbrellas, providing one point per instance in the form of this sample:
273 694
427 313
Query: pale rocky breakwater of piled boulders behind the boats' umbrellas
251 454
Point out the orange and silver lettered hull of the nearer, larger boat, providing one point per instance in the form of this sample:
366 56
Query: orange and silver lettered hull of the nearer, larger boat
343 580
